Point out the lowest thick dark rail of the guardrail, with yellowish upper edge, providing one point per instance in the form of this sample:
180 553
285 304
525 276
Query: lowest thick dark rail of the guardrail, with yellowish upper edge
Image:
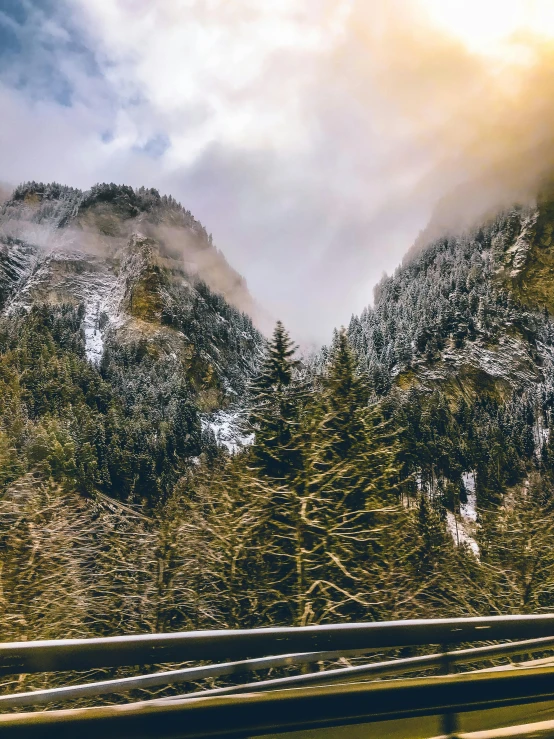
283 711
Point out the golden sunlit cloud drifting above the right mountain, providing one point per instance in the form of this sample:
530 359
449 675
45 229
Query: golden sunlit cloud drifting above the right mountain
464 132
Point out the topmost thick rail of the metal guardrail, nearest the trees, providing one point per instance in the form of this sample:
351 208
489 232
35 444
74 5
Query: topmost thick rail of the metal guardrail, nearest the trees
84 654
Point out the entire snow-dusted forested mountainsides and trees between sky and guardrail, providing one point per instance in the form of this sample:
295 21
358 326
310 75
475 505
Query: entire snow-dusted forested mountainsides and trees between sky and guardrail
406 471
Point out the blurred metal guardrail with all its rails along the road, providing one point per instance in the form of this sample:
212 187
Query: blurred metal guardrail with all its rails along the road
267 707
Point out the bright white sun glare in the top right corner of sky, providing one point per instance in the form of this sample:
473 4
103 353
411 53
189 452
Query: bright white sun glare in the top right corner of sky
486 26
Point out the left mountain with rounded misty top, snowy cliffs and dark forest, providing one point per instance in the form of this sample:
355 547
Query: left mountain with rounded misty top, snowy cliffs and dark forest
124 288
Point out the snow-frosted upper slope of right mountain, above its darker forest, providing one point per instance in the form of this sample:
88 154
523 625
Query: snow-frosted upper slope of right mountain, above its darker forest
468 313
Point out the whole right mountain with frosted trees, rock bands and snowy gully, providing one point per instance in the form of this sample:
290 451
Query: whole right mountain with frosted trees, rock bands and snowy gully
460 343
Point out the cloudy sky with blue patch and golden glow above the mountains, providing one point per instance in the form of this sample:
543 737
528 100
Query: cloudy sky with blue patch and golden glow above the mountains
313 139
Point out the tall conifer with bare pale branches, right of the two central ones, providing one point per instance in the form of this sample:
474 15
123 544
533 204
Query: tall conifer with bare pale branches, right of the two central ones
342 504
